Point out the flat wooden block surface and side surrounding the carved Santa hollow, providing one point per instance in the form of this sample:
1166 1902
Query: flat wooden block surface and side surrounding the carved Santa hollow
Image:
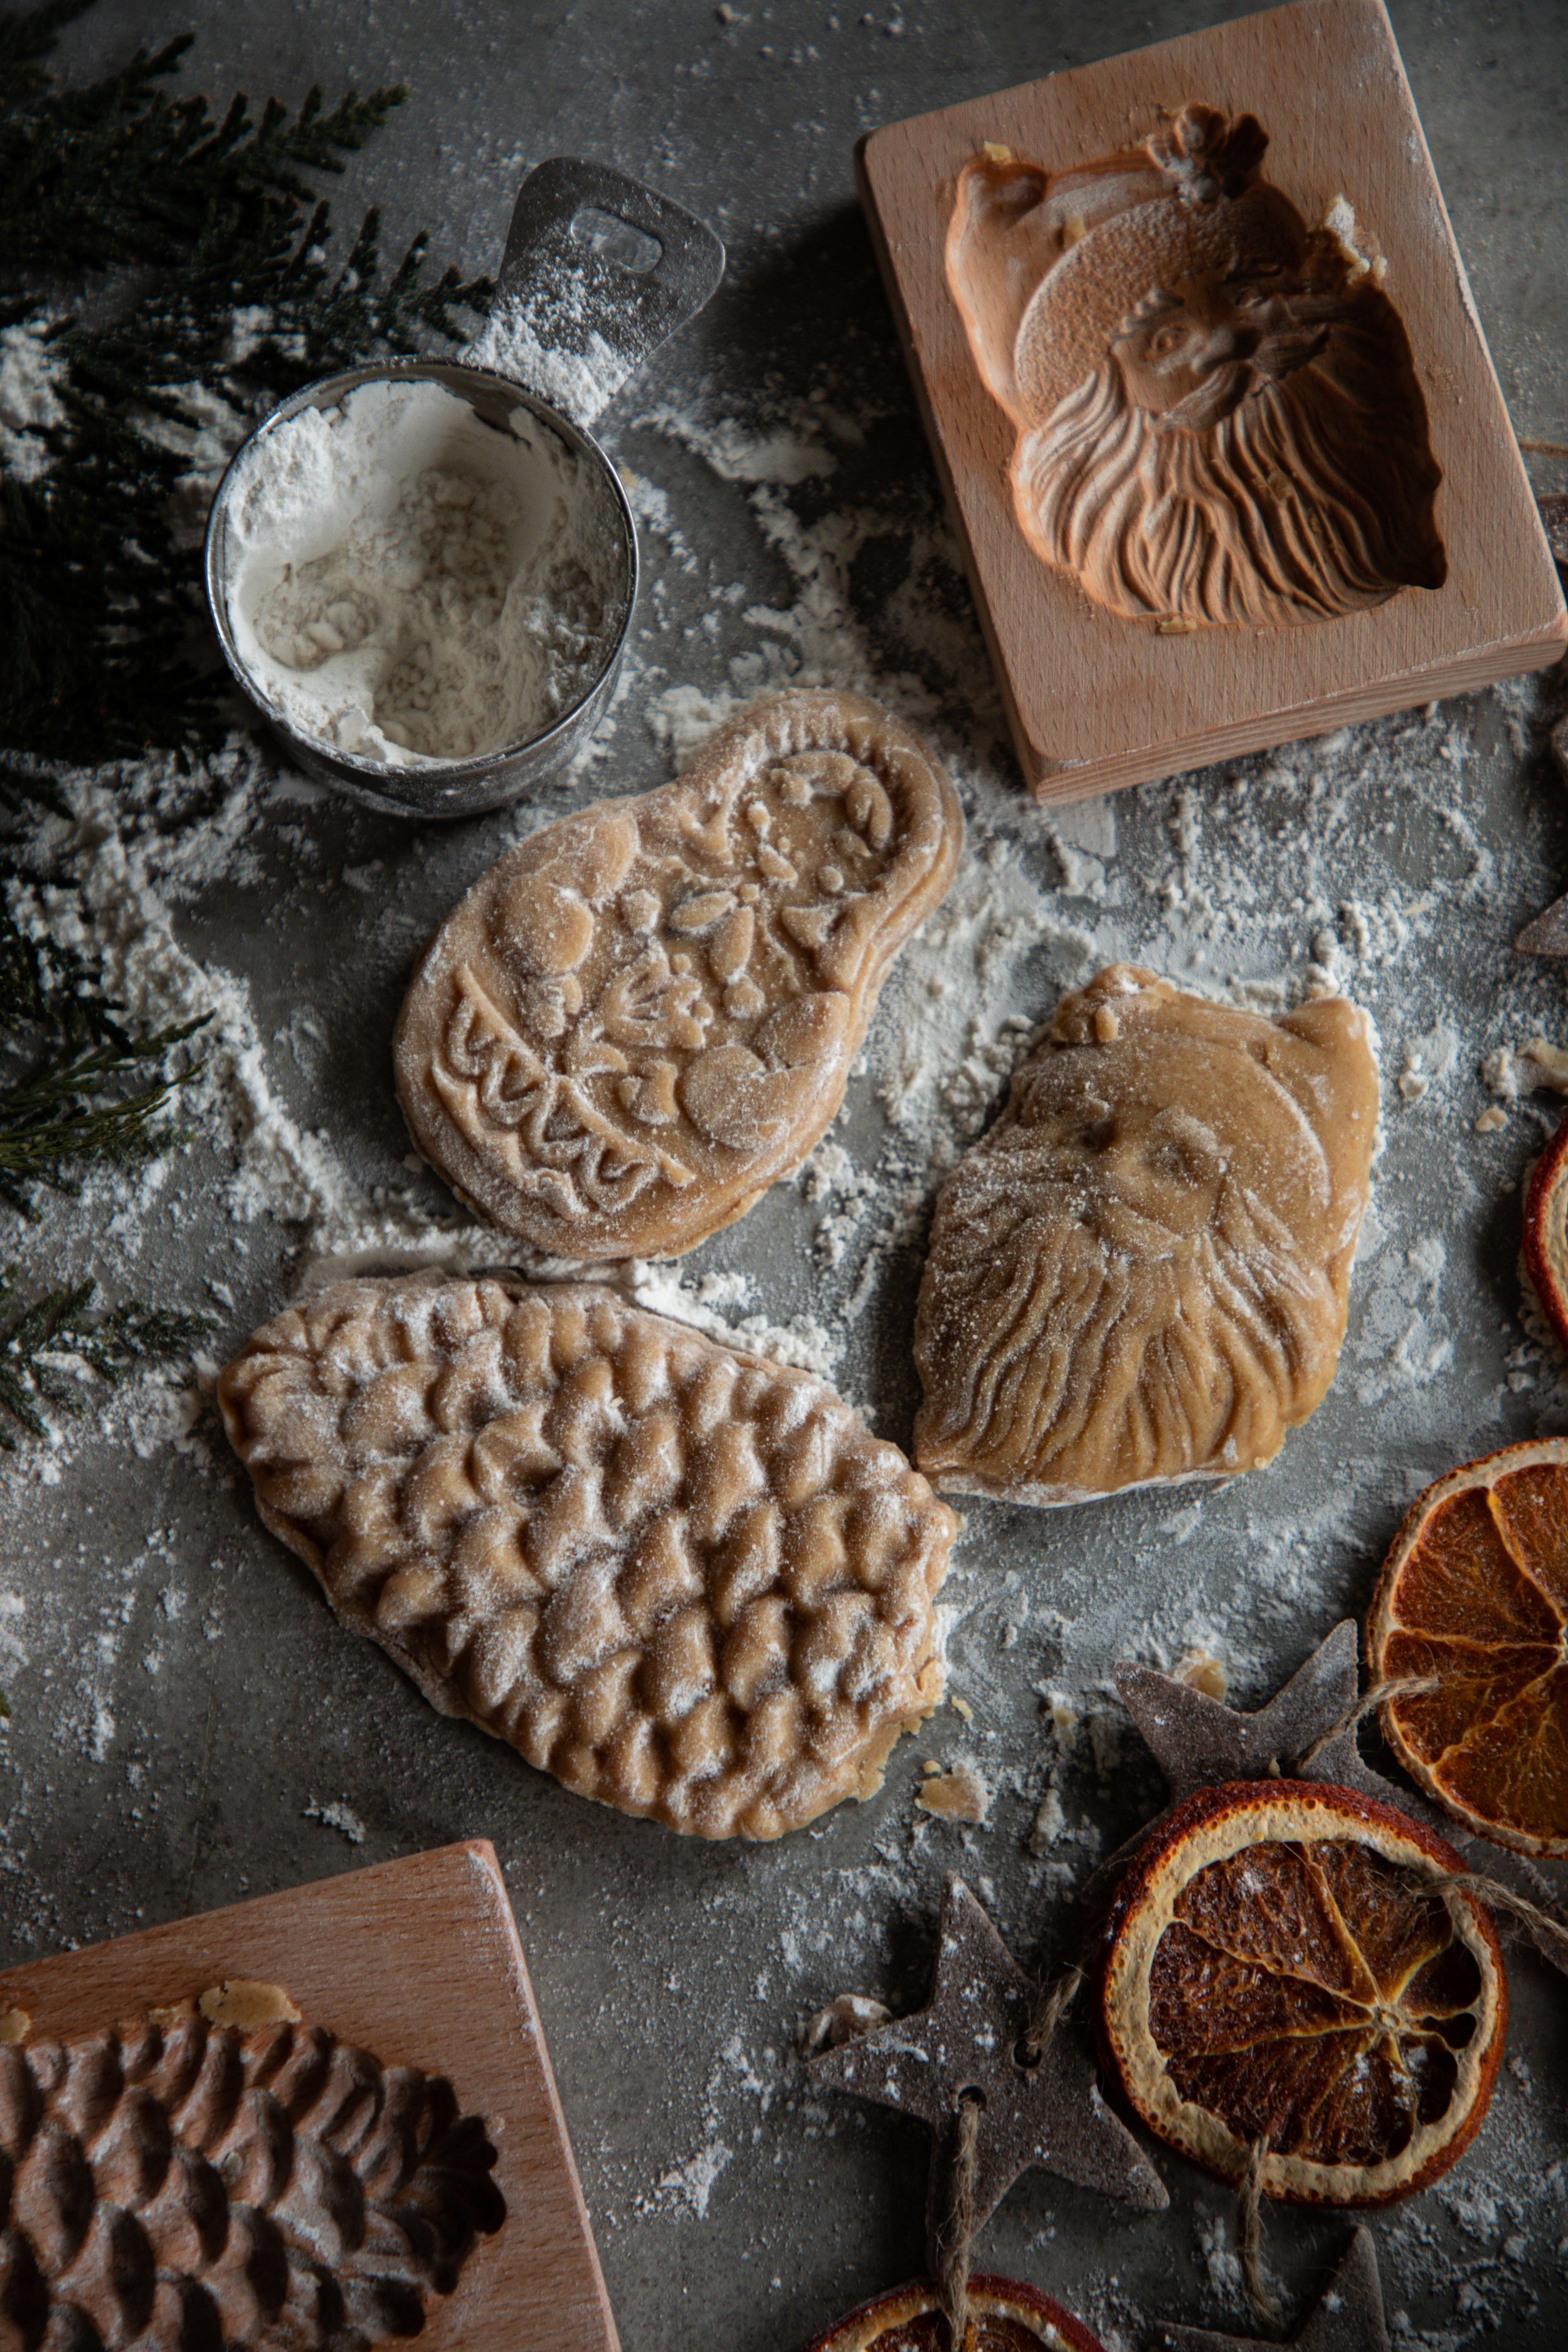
1097 702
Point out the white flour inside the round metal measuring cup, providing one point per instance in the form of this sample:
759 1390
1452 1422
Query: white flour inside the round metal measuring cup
415 584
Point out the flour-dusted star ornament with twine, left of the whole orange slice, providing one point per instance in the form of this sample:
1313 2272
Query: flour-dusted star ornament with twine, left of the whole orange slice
1036 2111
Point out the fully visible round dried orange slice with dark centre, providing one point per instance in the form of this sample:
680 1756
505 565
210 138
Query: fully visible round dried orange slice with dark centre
1275 1972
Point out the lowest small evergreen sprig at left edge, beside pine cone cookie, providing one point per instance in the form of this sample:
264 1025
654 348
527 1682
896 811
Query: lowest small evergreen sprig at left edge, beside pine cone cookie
60 1354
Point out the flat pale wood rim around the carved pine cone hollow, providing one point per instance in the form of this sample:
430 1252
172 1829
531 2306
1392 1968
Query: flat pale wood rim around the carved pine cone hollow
420 1965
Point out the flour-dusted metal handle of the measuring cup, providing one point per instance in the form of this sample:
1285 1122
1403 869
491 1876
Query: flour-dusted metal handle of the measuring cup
596 274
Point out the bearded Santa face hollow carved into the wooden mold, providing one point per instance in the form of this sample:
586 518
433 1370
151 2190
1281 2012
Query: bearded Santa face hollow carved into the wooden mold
1219 417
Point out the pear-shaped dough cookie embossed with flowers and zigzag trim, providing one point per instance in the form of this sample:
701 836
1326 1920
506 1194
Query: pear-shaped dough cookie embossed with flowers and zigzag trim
645 1015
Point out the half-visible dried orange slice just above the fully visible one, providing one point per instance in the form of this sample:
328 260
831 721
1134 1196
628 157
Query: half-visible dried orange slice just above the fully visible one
1477 1596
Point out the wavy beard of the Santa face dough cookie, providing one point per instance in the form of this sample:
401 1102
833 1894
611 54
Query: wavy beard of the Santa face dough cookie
1167 1339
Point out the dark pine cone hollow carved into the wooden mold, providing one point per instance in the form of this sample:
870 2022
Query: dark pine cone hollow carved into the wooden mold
182 2189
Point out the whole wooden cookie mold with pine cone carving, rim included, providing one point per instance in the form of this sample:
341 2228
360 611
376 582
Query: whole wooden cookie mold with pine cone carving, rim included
337 2097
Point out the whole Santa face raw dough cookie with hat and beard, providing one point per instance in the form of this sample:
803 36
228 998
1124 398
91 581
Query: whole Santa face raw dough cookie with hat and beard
1141 1274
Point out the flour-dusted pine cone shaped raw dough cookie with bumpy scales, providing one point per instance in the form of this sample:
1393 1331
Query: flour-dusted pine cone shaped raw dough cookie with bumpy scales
681 1579
